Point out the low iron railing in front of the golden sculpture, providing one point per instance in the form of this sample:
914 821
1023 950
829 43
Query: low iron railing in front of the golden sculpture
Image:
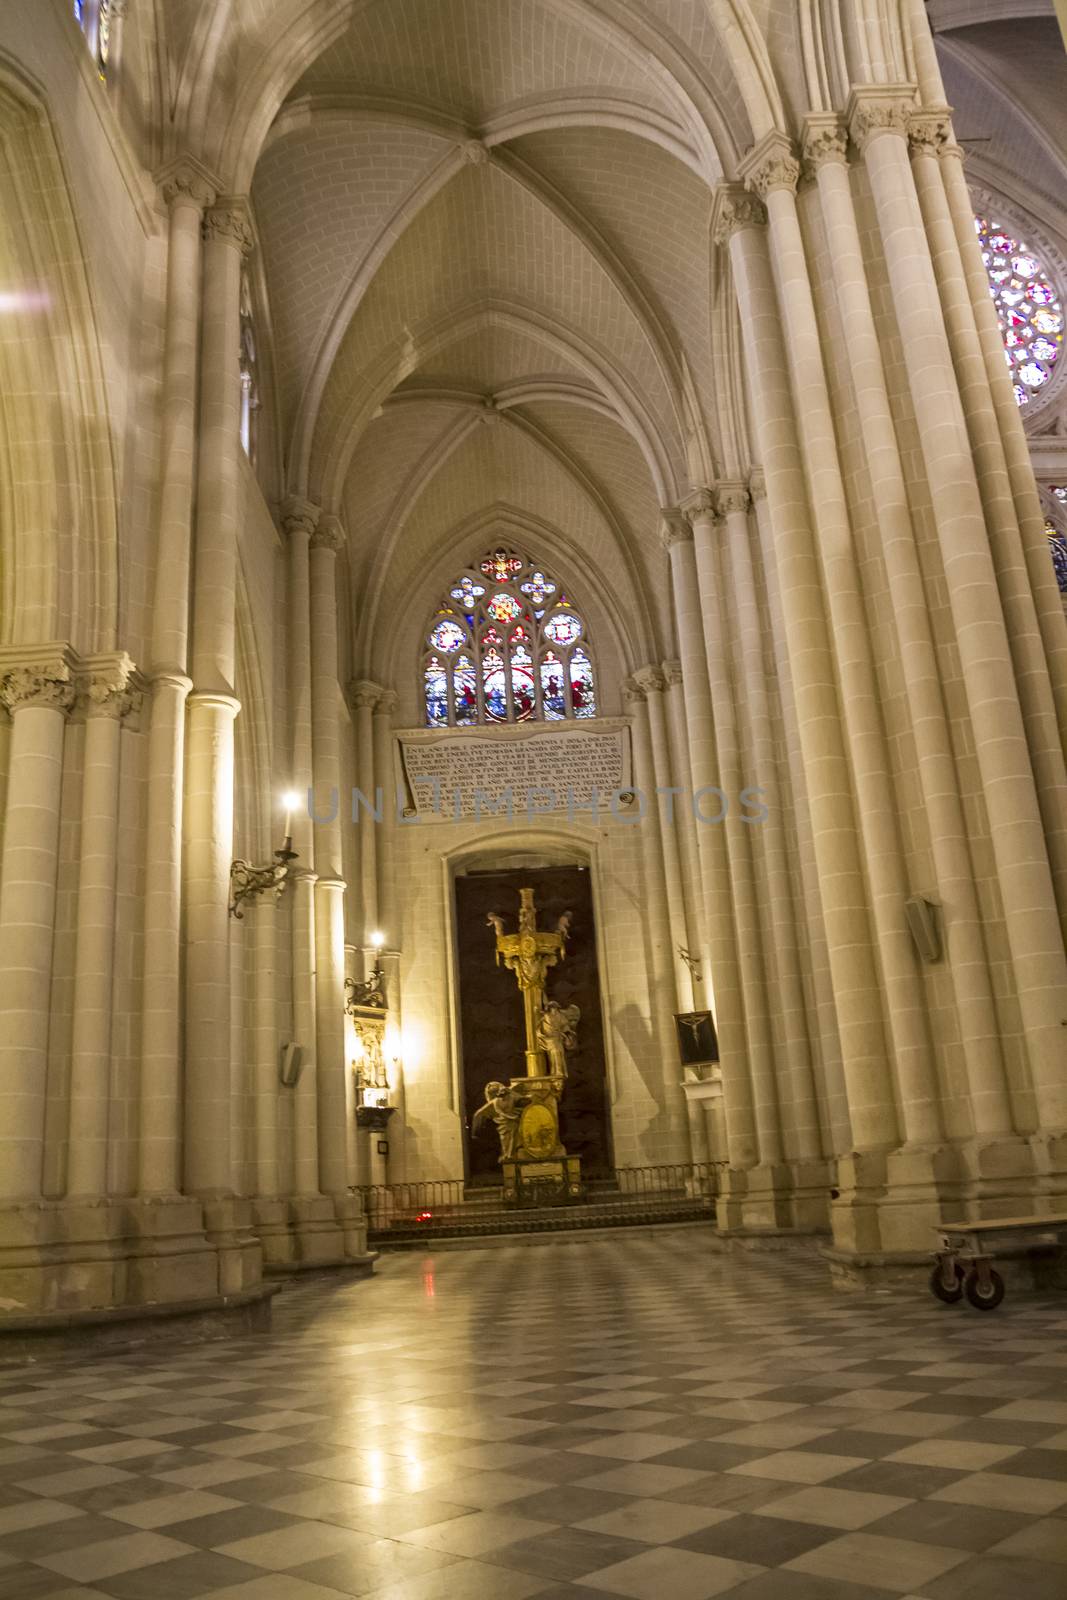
452 1207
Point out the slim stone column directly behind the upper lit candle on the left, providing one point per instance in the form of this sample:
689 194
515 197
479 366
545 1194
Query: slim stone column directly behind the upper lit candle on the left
300 521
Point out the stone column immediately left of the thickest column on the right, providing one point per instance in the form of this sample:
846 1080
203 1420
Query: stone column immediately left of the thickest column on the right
980 1033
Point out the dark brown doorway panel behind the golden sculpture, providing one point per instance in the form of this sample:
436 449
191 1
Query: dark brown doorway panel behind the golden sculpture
492 1014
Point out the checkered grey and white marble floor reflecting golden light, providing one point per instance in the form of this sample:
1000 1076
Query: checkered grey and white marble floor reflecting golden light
634 1417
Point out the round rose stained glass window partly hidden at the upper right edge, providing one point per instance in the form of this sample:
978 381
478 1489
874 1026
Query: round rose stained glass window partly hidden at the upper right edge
1028 308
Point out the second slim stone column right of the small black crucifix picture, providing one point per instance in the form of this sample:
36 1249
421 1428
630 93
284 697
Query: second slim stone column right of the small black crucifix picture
737 834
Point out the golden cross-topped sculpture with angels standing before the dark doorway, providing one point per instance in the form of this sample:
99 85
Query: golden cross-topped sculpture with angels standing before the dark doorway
527 1116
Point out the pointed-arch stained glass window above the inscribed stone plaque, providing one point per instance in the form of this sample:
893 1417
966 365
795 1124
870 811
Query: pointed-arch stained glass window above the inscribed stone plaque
506 644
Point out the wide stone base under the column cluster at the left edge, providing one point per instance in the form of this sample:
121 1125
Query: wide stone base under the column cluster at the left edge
81 1257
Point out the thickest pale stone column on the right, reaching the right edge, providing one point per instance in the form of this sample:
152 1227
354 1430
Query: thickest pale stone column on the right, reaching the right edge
879 126
